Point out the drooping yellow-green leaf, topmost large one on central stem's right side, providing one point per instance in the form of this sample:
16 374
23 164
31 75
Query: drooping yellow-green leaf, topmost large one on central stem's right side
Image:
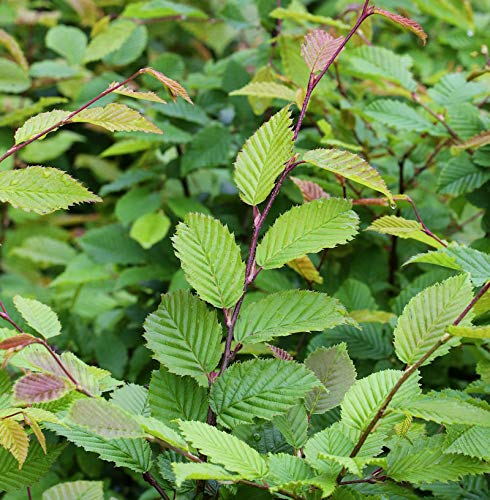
350 166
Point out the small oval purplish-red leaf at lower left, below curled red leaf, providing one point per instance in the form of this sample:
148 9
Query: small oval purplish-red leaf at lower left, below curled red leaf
41 387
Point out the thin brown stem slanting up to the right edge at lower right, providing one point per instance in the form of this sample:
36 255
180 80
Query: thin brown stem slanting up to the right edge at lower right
406 374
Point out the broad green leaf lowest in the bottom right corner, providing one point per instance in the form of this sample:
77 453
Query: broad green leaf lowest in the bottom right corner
425 462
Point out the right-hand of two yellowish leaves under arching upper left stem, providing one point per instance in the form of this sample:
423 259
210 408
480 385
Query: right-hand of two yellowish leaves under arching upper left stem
116 116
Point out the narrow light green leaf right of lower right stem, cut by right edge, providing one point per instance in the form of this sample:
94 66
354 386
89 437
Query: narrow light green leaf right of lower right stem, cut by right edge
444 410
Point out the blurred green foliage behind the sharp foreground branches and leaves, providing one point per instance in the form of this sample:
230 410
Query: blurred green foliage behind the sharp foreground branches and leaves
103 266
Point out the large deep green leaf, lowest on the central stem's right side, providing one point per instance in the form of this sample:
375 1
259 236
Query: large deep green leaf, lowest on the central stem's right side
259 389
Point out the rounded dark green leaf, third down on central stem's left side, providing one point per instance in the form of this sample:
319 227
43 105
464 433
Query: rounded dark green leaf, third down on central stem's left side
184 335
